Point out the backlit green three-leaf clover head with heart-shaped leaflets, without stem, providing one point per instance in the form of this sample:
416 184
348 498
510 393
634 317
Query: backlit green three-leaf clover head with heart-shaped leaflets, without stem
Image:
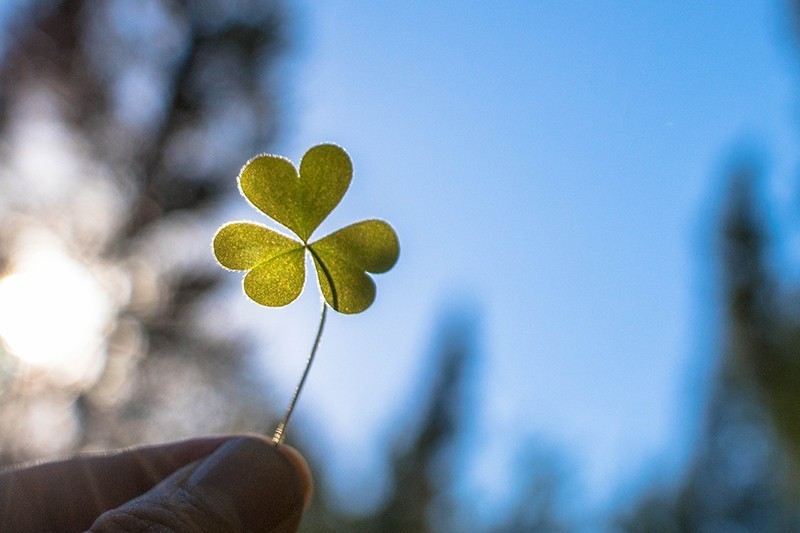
300 201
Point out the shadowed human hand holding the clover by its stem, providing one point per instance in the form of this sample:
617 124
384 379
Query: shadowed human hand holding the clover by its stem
222 484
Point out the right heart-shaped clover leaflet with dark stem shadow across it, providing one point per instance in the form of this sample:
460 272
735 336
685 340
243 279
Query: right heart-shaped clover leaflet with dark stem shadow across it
343 259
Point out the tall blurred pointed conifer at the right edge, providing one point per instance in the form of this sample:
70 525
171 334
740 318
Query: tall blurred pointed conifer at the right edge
740 477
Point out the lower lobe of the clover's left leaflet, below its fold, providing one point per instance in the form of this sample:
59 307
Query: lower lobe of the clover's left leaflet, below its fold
279 280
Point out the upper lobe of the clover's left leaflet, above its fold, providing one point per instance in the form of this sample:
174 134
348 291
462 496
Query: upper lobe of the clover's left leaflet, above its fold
243 245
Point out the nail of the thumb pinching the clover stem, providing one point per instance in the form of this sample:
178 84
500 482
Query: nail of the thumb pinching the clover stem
260 481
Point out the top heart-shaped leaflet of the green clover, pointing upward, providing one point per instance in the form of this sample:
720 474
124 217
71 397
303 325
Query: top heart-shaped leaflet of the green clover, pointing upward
298 201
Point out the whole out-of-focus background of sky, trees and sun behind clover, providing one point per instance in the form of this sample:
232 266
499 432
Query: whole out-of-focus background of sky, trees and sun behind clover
595 320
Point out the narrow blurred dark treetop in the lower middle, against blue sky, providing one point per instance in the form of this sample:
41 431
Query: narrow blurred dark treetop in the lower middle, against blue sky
420 498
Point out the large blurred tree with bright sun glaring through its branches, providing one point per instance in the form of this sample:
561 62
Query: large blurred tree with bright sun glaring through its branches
122 126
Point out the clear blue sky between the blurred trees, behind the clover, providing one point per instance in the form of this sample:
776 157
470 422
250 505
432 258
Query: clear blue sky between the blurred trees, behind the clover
555 164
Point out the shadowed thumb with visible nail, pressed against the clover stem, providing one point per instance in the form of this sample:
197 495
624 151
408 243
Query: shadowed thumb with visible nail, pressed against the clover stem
247 484
